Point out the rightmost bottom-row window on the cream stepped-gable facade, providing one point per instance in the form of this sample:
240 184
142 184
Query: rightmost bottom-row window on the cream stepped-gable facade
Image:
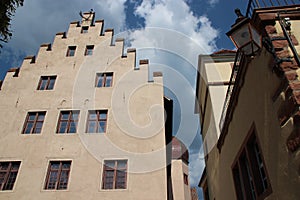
114 174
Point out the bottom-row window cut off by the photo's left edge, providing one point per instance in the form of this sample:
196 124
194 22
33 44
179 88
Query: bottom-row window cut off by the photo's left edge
8 174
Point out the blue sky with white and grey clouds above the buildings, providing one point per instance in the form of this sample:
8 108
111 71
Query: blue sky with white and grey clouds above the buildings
170 33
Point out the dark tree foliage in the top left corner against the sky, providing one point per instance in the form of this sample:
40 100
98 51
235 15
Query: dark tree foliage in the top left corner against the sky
7 10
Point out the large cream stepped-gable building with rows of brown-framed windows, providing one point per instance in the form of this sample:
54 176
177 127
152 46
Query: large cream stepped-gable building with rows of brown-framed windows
78 122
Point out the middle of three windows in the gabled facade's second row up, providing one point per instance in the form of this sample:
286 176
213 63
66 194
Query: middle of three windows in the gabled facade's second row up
67 122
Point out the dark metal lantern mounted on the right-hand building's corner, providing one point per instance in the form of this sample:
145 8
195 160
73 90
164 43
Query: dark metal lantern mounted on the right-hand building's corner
244 35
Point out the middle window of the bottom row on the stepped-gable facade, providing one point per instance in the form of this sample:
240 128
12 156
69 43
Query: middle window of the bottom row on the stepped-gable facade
58 175
